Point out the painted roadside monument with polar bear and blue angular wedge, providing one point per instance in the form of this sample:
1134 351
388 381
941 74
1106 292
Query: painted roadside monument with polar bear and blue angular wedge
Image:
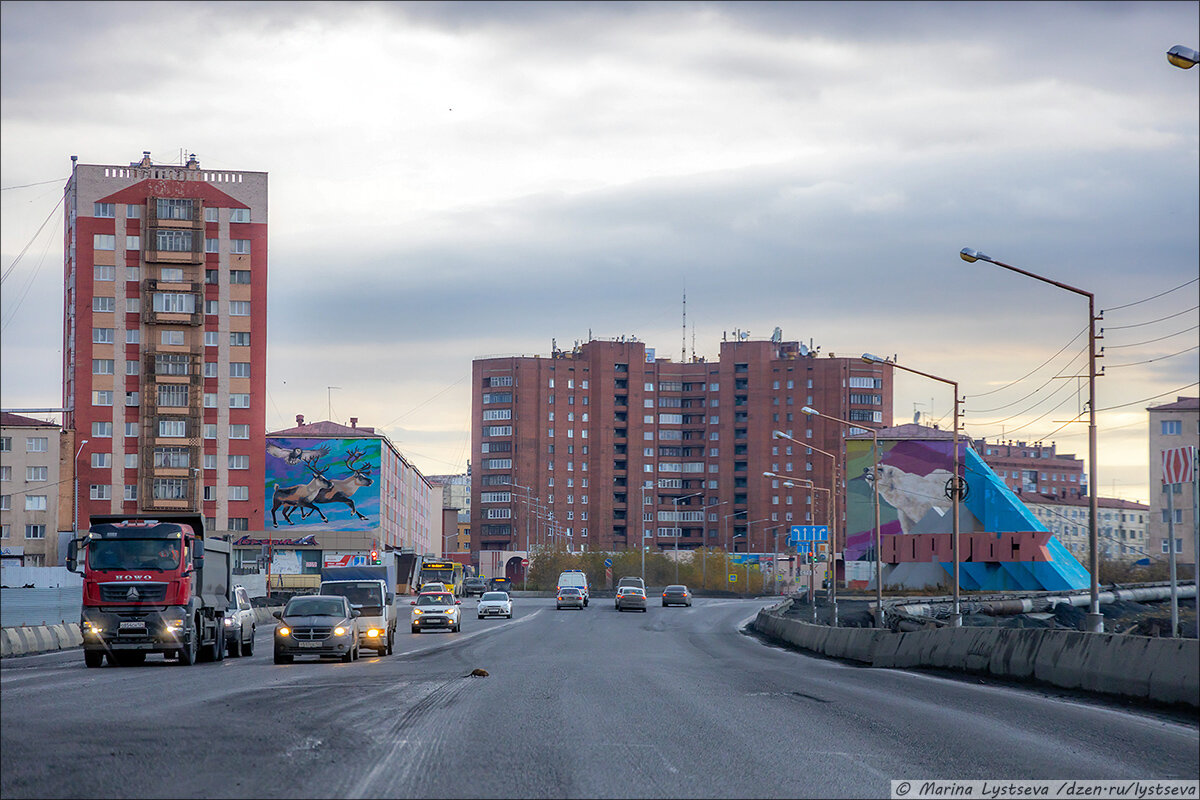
1003 544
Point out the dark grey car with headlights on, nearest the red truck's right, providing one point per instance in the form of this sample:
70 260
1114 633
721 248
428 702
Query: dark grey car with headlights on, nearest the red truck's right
317 625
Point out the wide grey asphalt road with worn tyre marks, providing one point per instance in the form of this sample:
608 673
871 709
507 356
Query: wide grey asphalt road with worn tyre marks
669 703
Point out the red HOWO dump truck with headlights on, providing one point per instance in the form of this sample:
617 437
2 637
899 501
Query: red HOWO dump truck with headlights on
152 585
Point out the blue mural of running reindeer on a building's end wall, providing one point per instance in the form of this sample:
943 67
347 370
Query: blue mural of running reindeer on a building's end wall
323 484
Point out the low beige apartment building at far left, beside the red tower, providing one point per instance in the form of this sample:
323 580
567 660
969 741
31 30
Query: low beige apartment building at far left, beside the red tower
35 490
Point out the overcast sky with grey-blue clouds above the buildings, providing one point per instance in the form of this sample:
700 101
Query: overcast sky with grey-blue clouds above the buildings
458 181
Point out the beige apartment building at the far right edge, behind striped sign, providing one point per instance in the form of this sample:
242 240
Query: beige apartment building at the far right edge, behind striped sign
1172 426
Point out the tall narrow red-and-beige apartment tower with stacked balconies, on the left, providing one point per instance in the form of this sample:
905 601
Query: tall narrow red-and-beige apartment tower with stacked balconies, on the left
165 339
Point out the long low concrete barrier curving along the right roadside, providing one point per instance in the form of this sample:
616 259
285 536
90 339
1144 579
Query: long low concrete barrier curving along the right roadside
1163 671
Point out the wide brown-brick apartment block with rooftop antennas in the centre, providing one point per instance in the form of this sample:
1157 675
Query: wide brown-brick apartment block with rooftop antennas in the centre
605 438
